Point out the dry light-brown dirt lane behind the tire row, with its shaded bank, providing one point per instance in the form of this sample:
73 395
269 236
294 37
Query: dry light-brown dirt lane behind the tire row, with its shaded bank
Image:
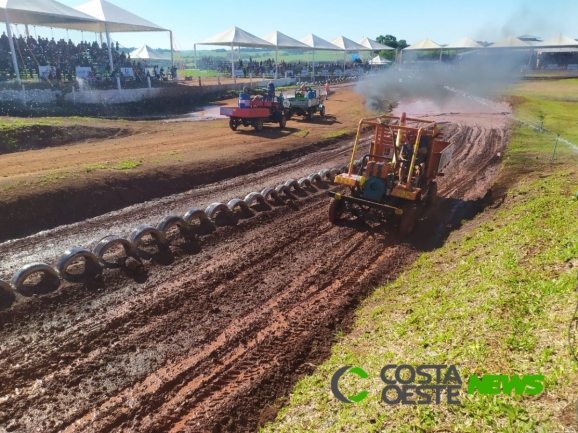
40 189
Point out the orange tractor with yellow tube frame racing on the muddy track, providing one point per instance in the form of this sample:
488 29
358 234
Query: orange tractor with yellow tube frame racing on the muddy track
396 179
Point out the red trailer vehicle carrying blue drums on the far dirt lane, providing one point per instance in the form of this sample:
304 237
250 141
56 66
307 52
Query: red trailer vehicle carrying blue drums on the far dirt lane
255 113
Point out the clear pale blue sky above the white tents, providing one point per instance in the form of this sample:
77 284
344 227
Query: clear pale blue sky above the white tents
443 21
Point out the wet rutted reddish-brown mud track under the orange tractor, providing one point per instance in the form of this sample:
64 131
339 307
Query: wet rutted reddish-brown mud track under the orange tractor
219 327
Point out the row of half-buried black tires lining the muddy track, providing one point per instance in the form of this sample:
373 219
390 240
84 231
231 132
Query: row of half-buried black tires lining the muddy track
96 260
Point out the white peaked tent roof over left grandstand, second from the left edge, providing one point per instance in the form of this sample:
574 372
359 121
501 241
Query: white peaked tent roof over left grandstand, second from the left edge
118 19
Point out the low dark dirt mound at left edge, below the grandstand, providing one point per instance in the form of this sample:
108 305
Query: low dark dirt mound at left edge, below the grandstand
38 136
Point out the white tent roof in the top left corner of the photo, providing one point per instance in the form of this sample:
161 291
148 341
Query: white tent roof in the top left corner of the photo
41 12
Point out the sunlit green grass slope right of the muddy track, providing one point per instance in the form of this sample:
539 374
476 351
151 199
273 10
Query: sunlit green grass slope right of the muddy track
498 300
